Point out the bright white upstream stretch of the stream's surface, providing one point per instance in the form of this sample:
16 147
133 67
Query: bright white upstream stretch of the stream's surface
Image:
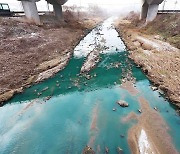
103 35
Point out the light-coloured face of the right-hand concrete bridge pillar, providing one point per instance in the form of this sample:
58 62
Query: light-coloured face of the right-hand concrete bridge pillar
152 12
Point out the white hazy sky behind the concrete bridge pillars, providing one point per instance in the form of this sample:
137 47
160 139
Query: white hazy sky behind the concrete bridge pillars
108 4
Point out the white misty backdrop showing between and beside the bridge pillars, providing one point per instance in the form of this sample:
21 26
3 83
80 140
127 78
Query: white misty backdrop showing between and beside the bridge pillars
111 6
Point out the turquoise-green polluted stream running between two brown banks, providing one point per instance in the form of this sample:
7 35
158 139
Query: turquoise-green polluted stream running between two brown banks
78 106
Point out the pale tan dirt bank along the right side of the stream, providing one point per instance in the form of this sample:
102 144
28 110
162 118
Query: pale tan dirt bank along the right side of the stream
158 59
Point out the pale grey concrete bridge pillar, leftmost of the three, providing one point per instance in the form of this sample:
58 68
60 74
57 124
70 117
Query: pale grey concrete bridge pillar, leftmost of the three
31 11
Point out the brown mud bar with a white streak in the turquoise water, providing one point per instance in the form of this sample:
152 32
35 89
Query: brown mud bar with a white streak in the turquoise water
150 134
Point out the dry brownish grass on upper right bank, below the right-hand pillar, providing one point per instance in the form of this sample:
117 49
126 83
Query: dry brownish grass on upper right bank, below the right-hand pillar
165 25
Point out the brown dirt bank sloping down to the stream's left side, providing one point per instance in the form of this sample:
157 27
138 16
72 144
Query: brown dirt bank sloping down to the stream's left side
27 51
